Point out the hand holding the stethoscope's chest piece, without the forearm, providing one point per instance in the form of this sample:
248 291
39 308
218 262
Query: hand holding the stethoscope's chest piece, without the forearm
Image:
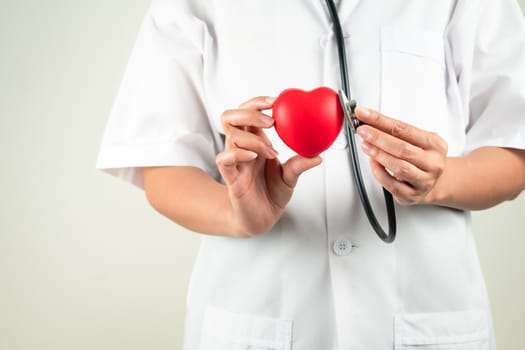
407 161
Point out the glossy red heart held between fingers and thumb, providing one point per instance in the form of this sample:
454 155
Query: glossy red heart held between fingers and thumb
308 121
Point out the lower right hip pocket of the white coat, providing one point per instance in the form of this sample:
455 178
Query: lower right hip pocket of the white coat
464 330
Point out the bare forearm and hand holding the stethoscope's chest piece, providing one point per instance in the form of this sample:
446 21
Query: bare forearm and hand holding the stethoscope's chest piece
419 171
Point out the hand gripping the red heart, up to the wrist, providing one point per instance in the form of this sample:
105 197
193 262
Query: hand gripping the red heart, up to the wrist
259 186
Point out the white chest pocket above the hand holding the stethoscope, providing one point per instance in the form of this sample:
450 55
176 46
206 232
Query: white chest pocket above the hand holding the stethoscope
413 76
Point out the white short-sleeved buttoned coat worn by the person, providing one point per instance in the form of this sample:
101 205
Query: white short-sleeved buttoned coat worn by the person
321 279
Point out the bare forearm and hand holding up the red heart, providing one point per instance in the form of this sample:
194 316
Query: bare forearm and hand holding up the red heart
257 186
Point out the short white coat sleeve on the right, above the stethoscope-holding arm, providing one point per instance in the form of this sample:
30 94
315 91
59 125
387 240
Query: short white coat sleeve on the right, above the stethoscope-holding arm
487 40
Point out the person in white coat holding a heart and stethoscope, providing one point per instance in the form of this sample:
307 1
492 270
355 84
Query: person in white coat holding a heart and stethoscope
288 259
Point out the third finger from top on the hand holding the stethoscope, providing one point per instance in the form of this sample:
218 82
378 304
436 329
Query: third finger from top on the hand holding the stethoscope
401 169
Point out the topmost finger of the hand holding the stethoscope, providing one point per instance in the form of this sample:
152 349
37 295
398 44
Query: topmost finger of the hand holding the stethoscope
402 130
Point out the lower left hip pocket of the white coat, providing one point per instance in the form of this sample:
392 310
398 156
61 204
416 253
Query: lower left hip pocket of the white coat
224 330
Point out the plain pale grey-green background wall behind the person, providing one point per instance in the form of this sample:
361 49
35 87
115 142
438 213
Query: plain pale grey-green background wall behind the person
85 263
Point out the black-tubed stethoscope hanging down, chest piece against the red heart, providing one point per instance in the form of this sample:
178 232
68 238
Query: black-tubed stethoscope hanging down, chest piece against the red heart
350 125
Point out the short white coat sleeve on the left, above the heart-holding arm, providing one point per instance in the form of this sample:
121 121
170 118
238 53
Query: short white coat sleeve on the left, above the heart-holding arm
159 116
